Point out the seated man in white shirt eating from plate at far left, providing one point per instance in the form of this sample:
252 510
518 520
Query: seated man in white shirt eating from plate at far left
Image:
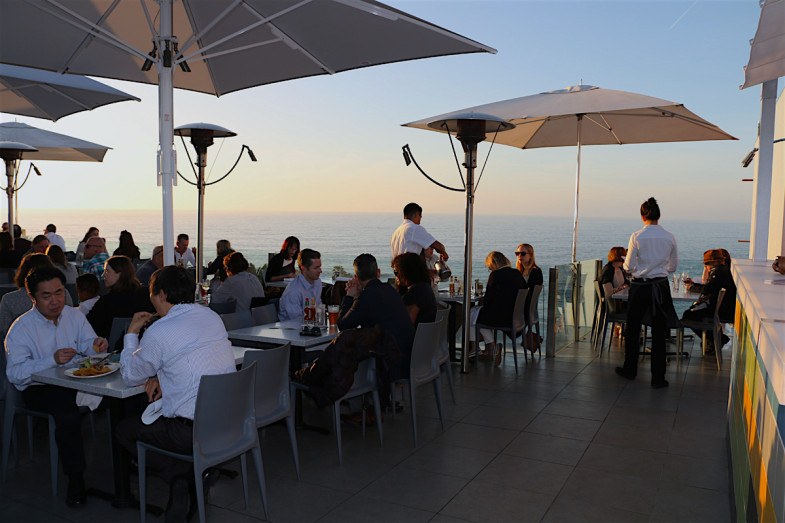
48 335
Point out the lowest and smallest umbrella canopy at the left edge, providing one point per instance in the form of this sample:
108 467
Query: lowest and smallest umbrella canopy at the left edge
52 146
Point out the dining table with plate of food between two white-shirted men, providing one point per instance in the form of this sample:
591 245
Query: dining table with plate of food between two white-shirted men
111 387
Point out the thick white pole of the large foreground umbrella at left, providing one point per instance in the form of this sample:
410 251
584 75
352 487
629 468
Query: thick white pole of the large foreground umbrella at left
166 130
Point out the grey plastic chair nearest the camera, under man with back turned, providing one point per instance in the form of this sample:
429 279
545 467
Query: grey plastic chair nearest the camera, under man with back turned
224 428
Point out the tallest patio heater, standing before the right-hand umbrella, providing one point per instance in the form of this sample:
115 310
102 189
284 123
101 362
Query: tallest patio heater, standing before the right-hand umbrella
470 129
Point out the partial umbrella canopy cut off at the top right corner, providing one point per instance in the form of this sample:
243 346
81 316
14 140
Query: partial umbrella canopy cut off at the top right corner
767 54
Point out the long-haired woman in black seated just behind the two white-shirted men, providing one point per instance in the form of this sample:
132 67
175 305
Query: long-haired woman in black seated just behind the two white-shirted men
124 298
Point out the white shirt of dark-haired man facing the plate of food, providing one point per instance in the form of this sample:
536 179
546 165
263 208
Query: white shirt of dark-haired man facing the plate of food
32 341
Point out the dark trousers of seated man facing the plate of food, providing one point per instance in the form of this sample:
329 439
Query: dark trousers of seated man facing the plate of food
61 404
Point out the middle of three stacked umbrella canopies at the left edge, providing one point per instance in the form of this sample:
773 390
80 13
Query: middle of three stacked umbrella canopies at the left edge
48 95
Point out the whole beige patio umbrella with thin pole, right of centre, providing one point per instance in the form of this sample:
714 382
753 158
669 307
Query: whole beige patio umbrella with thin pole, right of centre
557 118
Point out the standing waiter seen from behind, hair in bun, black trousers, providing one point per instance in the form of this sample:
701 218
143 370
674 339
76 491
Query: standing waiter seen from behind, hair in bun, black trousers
651 257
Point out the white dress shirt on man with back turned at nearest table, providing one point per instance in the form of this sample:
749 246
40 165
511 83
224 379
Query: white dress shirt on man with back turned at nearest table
186 344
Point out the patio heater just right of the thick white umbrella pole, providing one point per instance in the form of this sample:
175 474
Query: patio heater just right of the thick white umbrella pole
202 136
